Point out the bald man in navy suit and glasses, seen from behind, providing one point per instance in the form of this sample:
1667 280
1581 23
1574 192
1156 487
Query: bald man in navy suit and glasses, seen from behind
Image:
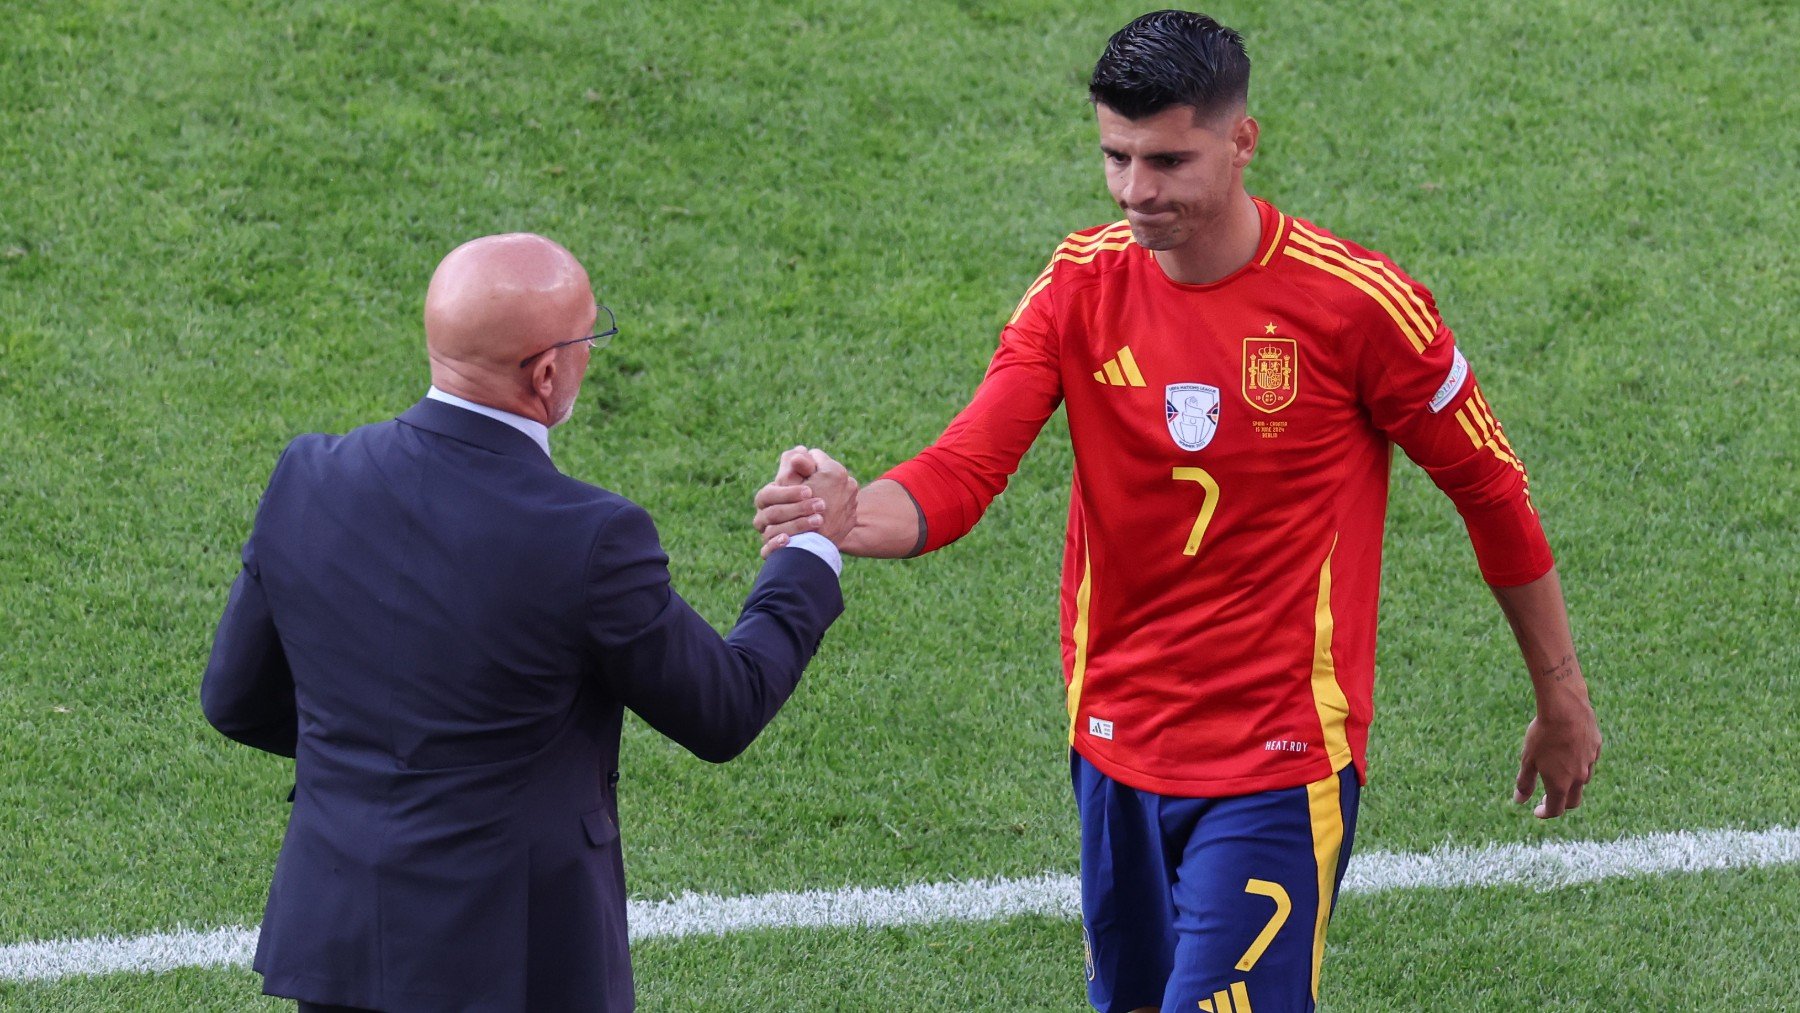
444 631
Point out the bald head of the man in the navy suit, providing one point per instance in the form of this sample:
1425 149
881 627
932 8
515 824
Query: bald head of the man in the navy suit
499 300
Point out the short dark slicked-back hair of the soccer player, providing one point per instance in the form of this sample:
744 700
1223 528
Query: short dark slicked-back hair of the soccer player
1171 58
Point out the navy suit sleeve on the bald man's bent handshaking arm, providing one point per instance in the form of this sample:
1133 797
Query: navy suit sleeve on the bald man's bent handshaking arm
660 658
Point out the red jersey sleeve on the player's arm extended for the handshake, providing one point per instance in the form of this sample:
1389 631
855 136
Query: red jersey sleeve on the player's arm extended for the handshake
957 480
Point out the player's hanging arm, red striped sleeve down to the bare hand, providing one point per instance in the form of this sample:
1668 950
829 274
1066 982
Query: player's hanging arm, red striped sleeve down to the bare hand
1421 391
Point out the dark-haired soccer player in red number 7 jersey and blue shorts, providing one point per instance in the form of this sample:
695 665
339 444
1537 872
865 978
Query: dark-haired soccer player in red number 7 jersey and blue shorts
1236 379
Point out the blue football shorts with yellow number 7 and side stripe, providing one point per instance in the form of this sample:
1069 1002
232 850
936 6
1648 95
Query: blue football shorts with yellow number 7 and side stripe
1214 906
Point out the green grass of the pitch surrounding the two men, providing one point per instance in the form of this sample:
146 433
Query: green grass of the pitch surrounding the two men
215 231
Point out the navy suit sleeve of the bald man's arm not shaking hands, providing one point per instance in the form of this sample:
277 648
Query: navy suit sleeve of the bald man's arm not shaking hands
247 692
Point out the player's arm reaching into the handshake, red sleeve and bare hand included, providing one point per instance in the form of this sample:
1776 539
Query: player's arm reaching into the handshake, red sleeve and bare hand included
940 494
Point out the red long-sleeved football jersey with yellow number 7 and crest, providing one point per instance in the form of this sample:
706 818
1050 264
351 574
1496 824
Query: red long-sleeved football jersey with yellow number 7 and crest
1232 449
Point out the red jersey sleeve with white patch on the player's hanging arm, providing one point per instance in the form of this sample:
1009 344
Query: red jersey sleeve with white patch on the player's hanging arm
1421 391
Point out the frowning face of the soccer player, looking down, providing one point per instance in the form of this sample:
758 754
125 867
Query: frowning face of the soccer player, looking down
1174 174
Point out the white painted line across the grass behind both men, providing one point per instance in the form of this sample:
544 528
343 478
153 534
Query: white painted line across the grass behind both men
1533 866
